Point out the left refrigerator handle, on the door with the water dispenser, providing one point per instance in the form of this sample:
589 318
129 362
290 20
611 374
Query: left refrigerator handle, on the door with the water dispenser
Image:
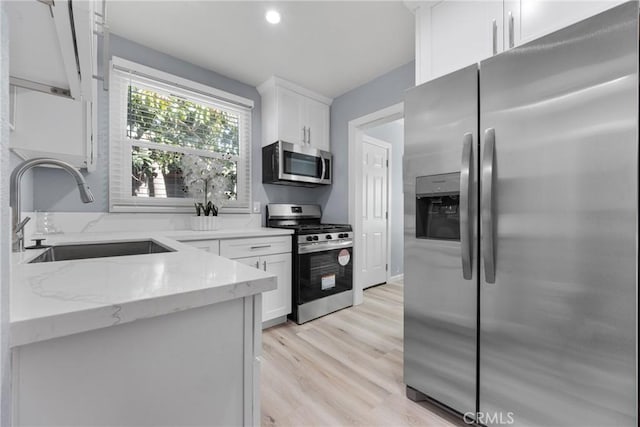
465 204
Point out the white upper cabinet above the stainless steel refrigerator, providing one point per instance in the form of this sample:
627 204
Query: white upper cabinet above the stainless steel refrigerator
453 34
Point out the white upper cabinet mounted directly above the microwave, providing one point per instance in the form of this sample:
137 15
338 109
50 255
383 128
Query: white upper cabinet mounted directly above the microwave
294 114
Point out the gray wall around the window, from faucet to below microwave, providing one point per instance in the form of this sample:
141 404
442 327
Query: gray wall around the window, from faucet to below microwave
54 191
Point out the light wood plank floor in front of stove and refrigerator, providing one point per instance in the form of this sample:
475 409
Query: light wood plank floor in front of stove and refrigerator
344 369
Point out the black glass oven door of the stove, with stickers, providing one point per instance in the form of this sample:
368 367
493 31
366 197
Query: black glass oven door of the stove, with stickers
323 273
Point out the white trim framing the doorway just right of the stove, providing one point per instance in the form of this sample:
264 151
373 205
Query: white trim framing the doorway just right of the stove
356 128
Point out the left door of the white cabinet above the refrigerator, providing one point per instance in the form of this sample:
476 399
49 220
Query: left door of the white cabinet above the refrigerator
461 33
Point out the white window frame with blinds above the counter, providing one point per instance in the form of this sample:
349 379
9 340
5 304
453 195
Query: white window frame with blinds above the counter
120 199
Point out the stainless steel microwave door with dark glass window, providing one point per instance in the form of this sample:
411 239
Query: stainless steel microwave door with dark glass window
304 164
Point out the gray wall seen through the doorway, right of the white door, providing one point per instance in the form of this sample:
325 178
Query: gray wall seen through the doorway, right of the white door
393 133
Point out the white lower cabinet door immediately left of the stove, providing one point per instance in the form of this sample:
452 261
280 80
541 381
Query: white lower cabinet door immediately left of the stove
277 303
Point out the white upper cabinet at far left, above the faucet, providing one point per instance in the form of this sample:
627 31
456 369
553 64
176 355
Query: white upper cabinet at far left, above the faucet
52 58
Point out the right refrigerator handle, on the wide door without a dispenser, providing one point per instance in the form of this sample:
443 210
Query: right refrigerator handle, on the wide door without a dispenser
486 212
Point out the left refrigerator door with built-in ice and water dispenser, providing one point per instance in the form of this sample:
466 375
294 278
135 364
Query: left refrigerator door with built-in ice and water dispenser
440 317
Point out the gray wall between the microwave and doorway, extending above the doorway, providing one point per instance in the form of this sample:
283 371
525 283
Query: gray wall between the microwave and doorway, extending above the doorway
379 93
